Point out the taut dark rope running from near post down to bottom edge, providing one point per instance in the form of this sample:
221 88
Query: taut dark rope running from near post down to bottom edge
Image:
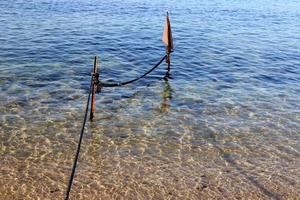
79 145
